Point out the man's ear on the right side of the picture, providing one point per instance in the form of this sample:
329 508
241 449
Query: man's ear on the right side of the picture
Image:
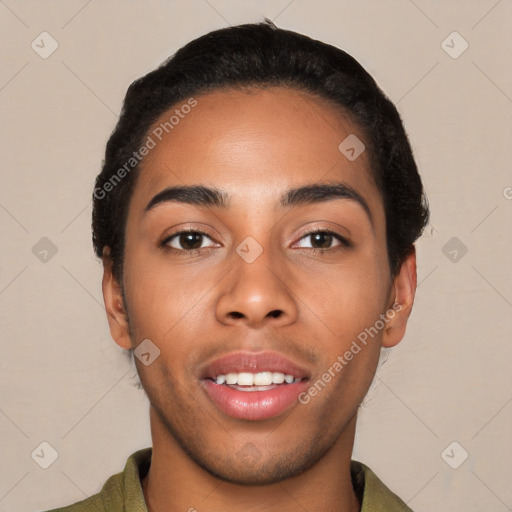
403 291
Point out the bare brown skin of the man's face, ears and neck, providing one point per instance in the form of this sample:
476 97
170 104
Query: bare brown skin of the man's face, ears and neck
197 306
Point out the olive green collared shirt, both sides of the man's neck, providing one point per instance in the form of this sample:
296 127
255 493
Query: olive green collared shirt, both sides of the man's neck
123 492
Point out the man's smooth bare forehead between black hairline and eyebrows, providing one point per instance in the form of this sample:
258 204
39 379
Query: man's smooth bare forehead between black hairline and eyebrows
254 143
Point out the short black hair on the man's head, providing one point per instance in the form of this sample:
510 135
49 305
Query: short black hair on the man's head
262 55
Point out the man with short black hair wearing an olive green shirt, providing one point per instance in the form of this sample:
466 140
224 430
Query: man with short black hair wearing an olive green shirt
255 215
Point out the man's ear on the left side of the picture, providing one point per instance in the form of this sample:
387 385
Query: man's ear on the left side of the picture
114 304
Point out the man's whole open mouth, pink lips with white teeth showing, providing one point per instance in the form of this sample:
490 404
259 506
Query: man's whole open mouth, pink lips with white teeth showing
254 386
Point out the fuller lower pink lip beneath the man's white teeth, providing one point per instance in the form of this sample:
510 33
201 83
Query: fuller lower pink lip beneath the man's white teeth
254 405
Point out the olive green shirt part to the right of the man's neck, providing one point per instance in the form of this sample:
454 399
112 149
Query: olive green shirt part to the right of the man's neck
374 494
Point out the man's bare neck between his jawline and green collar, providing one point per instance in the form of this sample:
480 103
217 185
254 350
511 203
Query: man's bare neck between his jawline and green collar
175 482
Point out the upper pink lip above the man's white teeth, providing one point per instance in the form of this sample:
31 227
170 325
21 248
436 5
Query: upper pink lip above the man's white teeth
253 362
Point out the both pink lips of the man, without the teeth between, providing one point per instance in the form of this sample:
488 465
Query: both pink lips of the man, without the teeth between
253 405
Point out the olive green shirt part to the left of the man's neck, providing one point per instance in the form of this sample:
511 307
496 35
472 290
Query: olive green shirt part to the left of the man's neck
121 492
